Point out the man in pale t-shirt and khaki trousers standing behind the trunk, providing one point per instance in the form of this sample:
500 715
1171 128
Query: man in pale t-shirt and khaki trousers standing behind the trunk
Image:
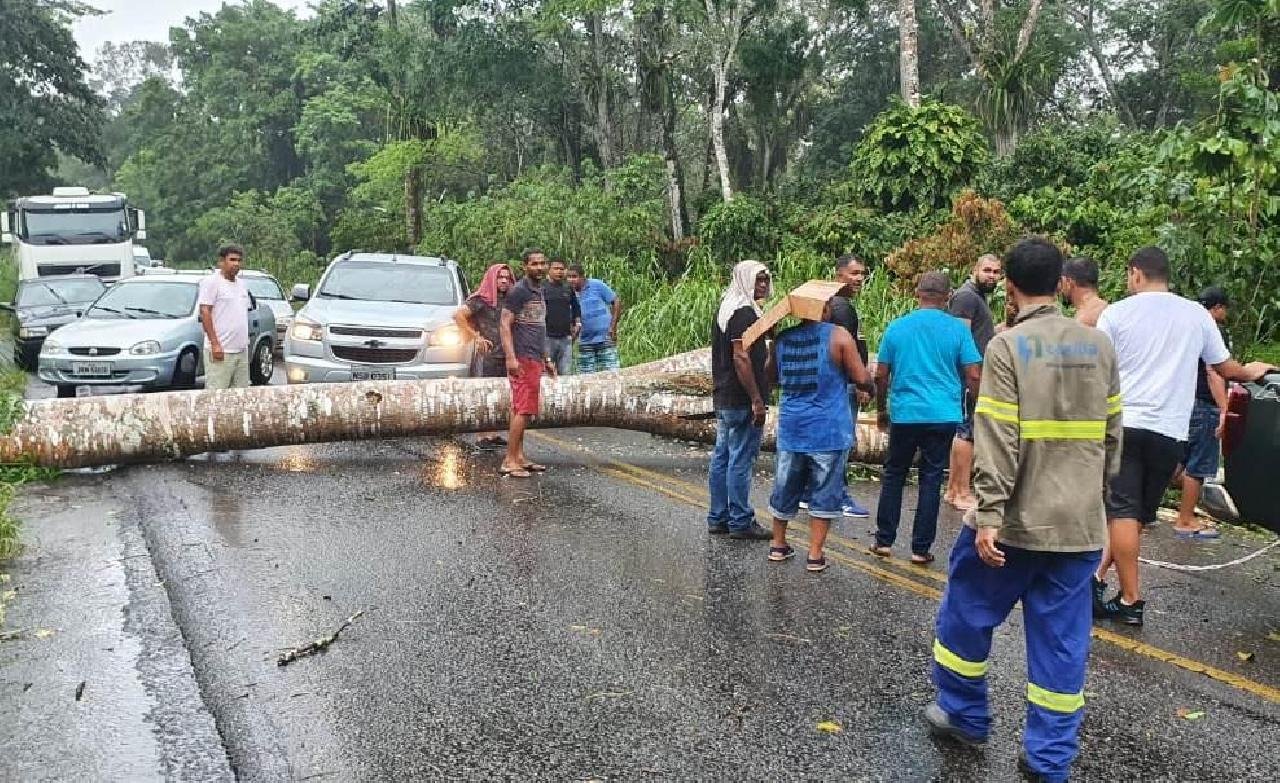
225 305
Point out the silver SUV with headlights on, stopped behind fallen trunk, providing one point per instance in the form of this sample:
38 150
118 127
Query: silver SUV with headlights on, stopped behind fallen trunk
378 317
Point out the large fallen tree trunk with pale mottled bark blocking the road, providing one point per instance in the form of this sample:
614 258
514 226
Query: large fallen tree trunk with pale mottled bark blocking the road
669 397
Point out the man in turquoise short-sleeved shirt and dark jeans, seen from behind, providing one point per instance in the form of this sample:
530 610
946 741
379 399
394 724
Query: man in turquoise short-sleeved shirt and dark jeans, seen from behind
926 359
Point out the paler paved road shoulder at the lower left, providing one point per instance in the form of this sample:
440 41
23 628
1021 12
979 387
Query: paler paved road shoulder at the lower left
97 679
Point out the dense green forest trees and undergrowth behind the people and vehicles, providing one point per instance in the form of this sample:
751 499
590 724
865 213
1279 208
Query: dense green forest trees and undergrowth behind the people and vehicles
472 130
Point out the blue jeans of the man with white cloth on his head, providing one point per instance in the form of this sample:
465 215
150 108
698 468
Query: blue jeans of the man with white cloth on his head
738 442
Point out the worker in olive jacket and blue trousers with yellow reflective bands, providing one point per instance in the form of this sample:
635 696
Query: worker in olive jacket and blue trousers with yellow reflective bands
1049 437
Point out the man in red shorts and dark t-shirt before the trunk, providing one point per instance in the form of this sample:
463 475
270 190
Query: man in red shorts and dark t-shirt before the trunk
524 344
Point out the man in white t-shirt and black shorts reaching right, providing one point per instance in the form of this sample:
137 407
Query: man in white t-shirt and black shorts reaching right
1159 338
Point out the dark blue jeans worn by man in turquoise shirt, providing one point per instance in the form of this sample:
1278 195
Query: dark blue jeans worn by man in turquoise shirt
934 443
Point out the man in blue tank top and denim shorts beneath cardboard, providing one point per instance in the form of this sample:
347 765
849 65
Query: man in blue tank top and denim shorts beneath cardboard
815 364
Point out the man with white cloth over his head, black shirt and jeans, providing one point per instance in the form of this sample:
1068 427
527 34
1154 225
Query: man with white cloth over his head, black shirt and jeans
742 388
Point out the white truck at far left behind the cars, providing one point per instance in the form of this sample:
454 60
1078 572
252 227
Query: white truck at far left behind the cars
74 232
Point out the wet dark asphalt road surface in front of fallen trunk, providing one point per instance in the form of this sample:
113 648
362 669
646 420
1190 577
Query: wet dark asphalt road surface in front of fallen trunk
584 626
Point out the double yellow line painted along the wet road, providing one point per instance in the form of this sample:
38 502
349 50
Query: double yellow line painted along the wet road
697 497
